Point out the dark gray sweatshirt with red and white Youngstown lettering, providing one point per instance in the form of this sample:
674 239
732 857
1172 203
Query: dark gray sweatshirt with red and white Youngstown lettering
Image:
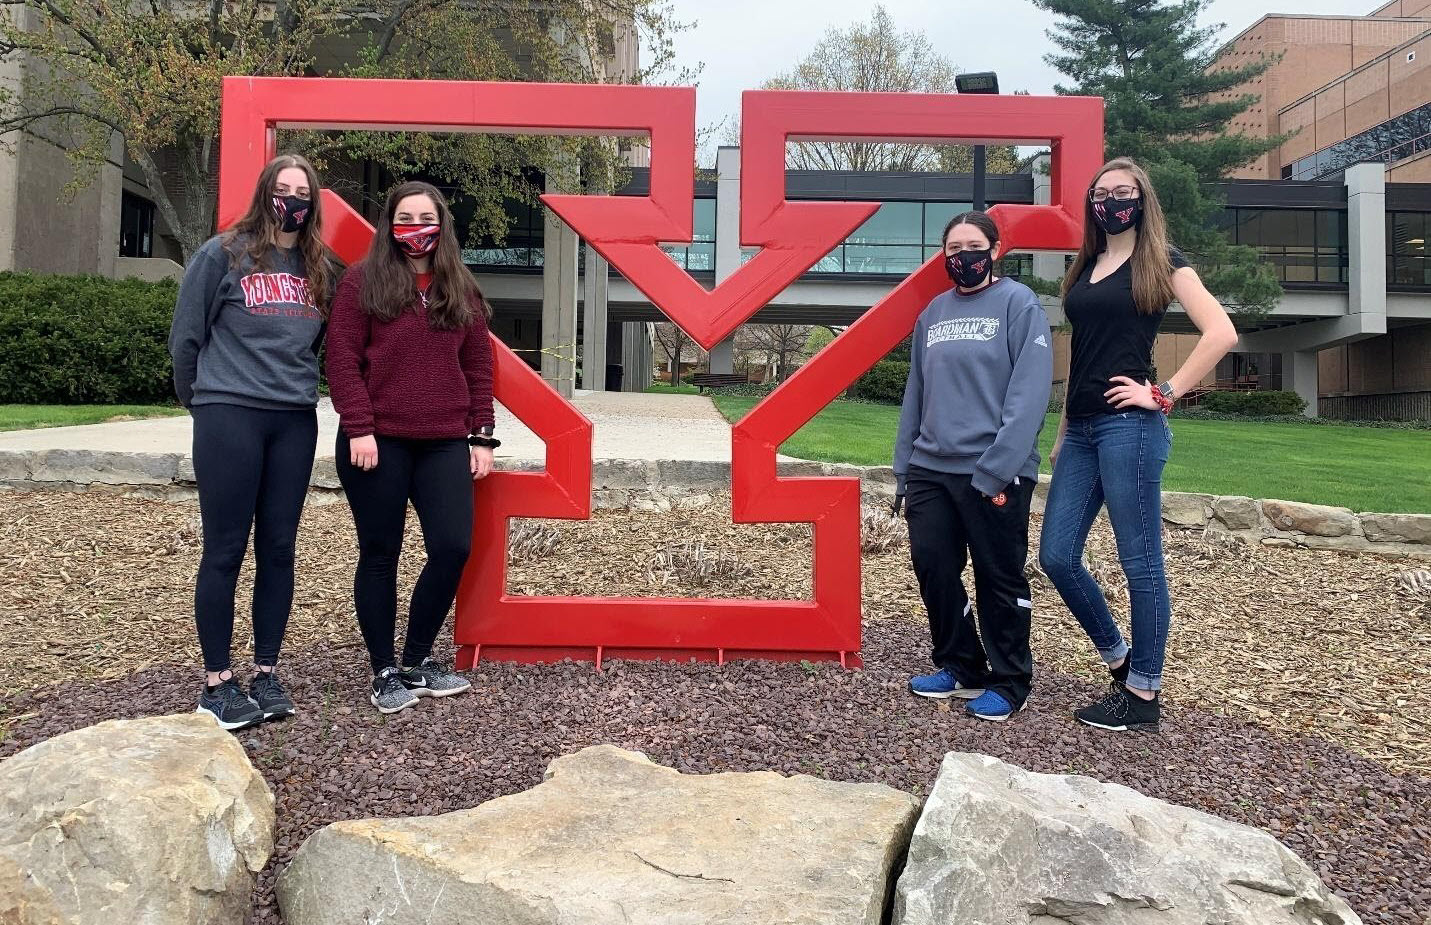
245 336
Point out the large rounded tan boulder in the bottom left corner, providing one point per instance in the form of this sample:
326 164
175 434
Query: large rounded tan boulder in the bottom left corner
148 823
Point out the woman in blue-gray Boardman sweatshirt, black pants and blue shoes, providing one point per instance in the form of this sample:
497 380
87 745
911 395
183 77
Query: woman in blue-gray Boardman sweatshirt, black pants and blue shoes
967 462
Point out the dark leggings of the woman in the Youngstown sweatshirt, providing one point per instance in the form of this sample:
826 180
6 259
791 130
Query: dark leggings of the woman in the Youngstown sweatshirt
253 468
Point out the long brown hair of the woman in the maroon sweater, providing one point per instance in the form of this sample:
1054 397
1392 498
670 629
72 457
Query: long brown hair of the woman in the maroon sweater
390 283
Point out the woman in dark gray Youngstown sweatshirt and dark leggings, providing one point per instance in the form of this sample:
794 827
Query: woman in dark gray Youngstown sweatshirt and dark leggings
245 340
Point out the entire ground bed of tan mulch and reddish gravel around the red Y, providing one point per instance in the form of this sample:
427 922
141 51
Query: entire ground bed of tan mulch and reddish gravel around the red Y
1316 657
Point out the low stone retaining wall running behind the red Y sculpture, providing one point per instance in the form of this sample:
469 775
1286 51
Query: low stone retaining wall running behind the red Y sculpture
675 485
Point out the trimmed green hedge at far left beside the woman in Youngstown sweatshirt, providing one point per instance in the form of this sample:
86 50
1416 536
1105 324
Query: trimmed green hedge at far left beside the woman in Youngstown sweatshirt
85 340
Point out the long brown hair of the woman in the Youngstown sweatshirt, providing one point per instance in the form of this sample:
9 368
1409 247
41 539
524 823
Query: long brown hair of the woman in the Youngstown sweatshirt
254 236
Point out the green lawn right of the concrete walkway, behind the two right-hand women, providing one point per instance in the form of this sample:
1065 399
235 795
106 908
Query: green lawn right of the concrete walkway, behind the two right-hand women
1360 468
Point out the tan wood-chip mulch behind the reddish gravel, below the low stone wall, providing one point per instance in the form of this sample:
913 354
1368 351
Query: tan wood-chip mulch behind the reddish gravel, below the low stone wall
1301 642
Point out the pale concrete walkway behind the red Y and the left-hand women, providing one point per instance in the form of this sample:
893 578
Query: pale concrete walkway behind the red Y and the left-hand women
629 426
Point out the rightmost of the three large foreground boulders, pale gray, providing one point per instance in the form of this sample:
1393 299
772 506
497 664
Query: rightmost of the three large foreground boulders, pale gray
998 846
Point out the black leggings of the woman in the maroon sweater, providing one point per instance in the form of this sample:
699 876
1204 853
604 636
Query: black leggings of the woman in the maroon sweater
437 476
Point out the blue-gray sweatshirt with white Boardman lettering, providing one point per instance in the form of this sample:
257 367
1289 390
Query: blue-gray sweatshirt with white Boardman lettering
980 377
